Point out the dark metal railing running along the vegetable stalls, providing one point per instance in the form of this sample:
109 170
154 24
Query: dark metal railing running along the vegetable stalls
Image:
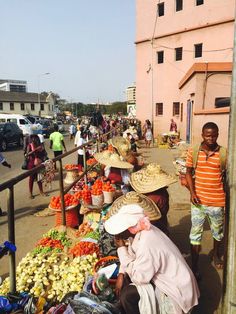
9 185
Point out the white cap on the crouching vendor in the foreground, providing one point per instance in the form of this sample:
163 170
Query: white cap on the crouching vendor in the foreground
128 216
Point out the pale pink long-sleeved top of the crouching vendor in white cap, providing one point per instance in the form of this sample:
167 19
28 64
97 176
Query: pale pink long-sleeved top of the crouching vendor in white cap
152 256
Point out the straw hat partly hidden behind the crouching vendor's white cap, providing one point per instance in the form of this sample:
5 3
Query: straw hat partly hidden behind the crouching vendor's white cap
131 198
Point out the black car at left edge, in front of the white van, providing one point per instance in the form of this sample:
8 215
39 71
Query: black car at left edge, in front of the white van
10 134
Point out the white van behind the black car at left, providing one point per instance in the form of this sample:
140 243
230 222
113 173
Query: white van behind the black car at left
23 123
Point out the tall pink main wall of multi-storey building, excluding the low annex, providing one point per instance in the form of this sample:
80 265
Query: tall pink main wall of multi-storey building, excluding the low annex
158 83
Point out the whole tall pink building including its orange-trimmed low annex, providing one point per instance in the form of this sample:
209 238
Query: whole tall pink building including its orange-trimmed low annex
184 52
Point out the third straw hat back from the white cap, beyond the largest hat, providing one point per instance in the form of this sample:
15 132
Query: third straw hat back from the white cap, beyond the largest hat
112 160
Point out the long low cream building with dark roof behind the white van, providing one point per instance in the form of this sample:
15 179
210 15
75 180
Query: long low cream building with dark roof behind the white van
27 103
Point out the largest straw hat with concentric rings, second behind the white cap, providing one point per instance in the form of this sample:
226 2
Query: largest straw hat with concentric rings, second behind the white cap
150 179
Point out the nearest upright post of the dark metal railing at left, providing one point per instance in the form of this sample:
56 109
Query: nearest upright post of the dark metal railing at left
11 237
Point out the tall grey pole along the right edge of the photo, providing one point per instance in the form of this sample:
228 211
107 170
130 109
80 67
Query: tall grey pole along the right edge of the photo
229 280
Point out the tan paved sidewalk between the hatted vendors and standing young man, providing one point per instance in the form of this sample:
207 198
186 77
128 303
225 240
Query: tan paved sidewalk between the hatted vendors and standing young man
179 220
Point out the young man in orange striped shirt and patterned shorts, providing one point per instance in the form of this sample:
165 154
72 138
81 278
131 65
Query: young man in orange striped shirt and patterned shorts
207 194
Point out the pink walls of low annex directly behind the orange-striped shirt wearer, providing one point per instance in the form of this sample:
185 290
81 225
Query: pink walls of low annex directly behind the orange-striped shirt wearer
203 97
